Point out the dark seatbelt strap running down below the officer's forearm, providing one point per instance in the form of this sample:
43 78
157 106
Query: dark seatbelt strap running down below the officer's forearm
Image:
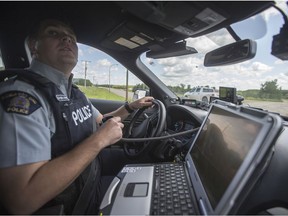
87 191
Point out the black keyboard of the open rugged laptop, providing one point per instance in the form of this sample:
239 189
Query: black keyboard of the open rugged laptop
171 195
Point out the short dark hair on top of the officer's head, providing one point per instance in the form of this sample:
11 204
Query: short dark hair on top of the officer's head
43 24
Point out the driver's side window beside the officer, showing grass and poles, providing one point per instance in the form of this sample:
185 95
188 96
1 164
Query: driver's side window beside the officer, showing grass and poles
100 76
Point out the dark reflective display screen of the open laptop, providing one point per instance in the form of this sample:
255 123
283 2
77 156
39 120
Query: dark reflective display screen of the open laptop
221 146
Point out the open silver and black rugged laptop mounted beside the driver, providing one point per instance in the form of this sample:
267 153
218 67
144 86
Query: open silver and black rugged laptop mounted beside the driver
229 153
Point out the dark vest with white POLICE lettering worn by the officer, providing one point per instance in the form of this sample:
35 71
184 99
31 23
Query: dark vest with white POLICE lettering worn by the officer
74 122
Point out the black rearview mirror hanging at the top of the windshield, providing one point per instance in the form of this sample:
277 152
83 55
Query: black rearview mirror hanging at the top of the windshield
231 54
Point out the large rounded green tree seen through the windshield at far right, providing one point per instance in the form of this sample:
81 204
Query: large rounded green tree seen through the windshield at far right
270 90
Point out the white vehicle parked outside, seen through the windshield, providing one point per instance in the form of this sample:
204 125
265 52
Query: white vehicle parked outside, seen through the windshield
201 93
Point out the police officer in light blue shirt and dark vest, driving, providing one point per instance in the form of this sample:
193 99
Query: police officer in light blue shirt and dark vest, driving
50 132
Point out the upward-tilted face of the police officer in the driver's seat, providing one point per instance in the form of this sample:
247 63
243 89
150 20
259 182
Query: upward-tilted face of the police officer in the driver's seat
56 46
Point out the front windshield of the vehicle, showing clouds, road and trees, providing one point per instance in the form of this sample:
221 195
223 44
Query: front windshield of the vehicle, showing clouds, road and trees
260 82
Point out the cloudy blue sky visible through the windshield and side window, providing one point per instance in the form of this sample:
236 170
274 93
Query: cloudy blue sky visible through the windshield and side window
189 70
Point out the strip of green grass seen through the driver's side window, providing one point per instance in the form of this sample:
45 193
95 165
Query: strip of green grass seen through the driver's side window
100 93
